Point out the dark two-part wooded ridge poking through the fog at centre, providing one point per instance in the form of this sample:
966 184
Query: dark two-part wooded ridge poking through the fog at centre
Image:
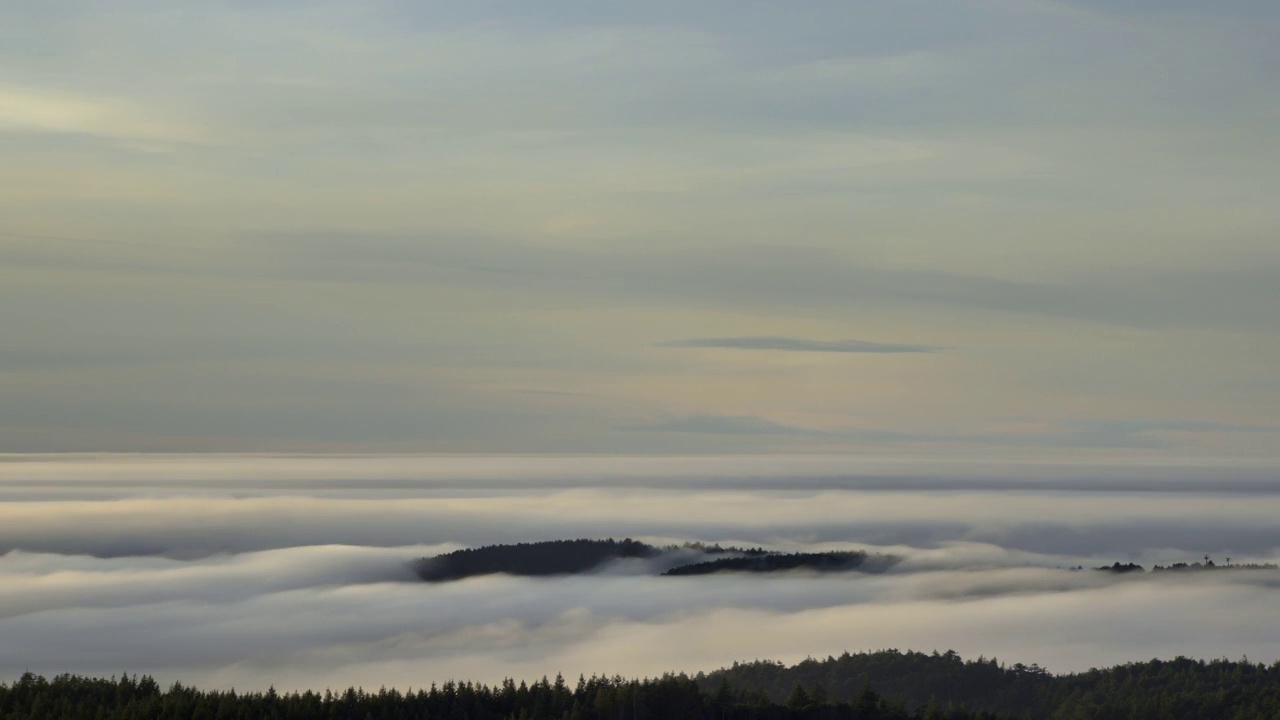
574 557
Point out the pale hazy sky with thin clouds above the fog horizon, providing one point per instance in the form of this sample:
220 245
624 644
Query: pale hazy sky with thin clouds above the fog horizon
911 227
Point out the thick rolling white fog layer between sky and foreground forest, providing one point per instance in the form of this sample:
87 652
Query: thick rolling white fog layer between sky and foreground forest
246 572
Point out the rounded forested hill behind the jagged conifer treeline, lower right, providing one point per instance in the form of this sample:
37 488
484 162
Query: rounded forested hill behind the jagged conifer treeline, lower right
1174 690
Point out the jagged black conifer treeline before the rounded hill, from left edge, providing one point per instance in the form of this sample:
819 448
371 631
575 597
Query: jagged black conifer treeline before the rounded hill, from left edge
671 698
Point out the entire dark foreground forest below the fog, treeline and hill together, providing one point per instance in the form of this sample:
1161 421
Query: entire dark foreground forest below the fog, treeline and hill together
877 686
